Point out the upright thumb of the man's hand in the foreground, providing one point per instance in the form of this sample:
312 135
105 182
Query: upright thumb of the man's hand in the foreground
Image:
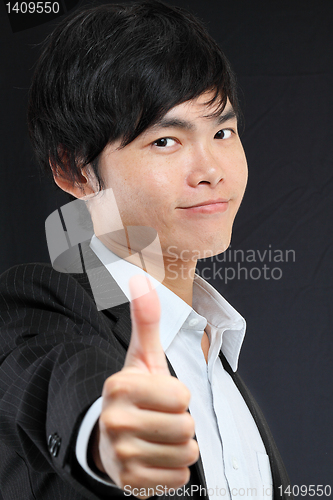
145 350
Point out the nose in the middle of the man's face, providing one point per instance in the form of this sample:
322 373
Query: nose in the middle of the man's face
207 167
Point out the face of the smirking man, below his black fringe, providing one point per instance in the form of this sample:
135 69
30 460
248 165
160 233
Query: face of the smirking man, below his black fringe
185 177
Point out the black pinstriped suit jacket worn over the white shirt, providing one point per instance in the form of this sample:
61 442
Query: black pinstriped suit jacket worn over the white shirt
57 349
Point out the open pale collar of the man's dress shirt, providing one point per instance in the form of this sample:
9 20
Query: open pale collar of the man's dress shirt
207 303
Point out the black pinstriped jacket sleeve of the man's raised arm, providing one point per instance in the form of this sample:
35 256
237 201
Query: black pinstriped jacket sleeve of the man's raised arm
56 352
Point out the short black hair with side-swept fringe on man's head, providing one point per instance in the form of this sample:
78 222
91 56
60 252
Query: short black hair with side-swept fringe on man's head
111 71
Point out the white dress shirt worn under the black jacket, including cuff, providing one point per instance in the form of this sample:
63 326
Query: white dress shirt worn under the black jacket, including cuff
232 452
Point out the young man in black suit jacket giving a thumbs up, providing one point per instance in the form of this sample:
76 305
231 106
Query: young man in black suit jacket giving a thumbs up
134 109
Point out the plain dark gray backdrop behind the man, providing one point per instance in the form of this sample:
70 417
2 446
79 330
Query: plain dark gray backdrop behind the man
282 53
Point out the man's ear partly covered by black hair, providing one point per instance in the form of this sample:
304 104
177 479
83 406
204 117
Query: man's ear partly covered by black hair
84 186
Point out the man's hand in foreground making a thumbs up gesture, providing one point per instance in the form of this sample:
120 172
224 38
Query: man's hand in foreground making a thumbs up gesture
145 437
